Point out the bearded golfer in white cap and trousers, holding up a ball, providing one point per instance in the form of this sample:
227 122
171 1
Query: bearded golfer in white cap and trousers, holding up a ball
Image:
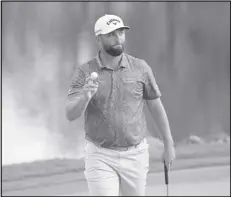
116 149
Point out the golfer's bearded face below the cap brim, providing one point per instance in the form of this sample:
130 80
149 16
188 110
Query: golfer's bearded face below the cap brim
113 42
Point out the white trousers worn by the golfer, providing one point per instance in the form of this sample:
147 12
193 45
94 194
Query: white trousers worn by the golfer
113 173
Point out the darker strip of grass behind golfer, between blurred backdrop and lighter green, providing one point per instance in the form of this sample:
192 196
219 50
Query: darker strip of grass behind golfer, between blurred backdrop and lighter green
186 156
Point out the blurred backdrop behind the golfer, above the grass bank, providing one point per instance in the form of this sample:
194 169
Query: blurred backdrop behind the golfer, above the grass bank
187 44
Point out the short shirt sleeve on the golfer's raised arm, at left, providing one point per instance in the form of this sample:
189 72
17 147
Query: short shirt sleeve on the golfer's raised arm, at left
77 82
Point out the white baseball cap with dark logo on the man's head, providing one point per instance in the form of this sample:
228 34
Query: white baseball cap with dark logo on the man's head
108 23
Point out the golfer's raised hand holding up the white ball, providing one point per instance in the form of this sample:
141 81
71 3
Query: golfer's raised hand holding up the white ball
90 87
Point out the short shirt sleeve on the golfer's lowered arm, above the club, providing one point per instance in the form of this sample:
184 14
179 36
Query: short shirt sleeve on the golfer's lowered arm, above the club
151 89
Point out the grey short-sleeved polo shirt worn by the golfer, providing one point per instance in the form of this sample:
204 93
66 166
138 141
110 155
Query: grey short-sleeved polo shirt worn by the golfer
115 115
